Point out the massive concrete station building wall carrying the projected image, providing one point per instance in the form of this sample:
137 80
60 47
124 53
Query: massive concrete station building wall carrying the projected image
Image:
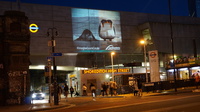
87 36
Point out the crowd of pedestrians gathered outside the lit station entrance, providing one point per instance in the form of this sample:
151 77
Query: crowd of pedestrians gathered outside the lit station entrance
107 88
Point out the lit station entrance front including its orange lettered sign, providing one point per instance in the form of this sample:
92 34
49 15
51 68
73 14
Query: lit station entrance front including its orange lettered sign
100 76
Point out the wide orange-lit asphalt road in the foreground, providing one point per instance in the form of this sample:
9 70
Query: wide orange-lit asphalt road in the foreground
185 102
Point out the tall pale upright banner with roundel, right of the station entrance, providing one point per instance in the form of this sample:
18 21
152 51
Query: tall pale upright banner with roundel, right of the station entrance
154 66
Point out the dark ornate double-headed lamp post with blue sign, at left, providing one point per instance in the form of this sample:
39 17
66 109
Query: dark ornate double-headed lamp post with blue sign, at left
52 44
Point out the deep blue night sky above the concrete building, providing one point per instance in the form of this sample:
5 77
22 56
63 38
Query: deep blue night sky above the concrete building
178 7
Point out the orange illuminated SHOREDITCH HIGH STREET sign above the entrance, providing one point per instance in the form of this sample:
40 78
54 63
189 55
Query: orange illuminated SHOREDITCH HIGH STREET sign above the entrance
100 71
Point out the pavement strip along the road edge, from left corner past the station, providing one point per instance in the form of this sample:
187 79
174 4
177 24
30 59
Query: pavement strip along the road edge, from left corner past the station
63 103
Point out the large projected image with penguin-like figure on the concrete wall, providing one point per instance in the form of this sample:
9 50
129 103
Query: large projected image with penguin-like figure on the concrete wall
96 30
